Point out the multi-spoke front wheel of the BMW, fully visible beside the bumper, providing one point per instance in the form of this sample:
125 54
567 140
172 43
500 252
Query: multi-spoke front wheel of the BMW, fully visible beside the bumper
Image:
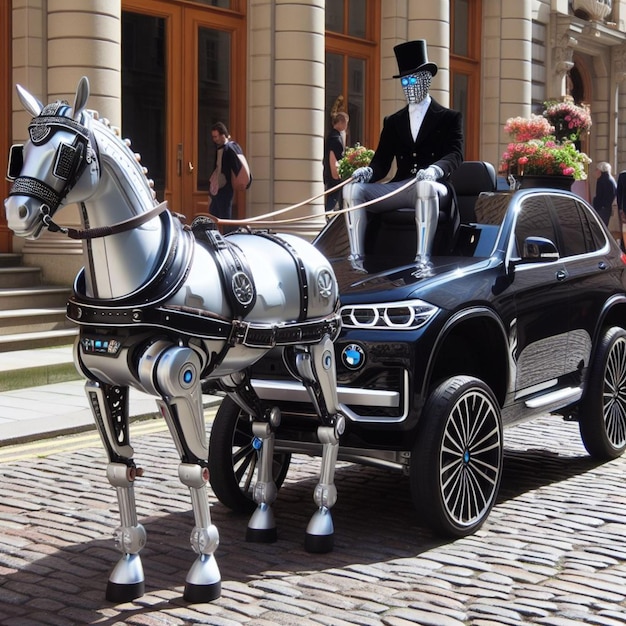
456 463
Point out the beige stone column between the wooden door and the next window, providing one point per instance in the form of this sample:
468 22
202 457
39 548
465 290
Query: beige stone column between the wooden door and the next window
287 82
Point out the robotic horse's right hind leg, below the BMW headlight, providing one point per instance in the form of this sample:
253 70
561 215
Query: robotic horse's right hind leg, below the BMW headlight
315 365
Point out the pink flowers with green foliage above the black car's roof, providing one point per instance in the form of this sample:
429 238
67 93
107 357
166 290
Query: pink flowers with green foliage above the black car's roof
535 150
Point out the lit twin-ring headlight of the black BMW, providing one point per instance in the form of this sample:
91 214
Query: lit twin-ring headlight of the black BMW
406 315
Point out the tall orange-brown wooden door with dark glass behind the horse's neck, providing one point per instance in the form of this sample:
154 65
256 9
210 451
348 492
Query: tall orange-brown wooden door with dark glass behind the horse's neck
183 69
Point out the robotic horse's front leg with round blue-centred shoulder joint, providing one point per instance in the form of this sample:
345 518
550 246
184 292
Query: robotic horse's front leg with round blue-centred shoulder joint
177 381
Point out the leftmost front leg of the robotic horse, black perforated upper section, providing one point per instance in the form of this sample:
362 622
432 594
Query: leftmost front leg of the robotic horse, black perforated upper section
109 405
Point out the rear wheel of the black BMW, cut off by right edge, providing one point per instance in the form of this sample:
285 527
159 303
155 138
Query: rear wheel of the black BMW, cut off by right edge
602 414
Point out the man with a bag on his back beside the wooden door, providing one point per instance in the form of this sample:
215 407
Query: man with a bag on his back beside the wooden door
230 171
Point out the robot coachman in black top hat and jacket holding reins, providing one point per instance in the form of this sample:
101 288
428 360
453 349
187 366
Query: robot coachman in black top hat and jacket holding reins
425 139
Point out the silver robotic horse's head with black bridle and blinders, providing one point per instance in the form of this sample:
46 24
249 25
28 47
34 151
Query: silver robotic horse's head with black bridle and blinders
56 166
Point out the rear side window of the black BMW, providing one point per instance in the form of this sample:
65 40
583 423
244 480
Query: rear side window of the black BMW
577 227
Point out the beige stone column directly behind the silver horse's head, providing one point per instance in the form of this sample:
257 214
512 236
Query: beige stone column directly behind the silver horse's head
83 39
